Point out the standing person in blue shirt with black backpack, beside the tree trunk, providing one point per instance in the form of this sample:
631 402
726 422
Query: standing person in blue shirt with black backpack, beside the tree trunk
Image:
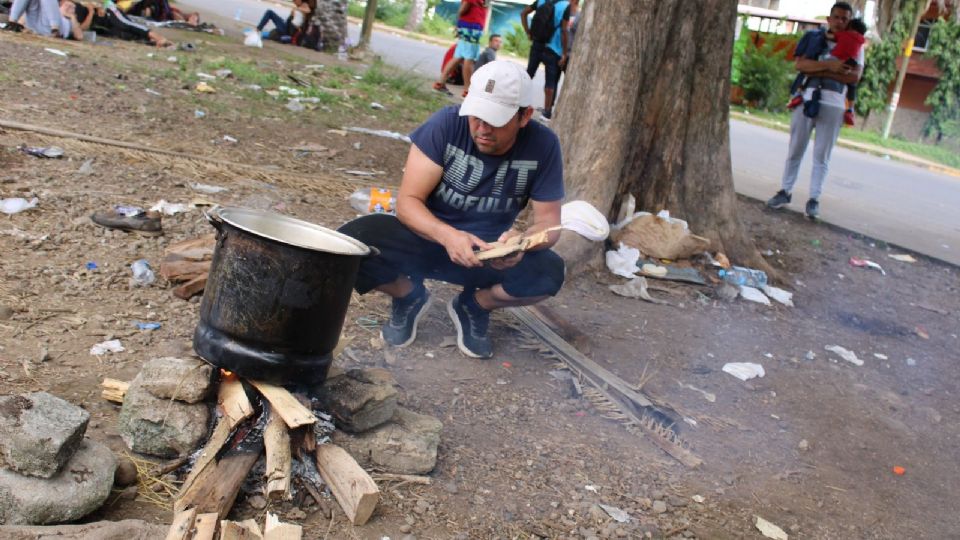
550 44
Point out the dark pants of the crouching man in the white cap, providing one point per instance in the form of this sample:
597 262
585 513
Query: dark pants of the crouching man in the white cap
404 253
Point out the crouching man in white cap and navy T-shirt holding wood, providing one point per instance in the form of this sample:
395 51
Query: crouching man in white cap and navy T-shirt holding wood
469 172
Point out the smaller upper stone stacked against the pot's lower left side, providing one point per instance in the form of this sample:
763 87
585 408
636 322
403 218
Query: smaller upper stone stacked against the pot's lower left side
182 379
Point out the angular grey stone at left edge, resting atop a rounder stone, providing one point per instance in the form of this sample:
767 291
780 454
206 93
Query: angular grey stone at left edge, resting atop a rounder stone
39 432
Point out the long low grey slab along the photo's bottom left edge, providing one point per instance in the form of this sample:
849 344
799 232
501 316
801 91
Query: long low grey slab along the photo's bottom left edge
128 529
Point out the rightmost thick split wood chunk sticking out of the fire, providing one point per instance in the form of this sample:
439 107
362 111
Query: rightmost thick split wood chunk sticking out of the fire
353 488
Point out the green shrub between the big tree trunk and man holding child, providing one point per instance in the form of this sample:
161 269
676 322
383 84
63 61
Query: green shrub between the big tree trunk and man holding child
765 76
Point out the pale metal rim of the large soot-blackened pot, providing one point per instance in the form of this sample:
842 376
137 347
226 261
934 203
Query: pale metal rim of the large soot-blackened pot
347 245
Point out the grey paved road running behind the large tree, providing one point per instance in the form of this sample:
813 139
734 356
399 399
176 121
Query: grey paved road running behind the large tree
898 203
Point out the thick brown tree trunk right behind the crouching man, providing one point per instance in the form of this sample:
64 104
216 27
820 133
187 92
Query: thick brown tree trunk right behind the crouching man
645 112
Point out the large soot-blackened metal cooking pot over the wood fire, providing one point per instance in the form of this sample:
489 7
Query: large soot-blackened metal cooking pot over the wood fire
276 297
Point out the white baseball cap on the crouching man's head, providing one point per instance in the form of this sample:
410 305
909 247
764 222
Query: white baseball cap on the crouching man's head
497 91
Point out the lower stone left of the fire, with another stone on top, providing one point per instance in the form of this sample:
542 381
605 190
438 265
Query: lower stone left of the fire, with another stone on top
161 427
